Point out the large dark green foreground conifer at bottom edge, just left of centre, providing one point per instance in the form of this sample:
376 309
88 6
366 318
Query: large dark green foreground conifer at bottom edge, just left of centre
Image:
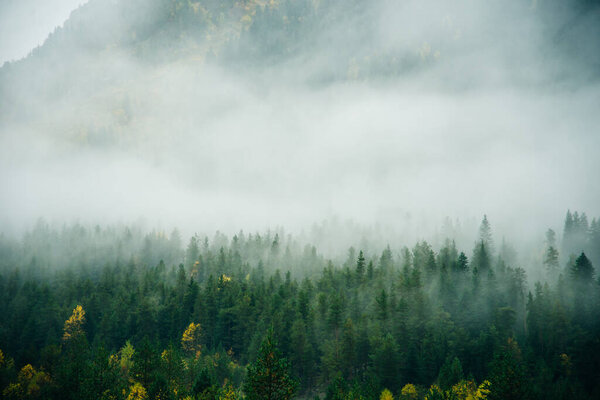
268 378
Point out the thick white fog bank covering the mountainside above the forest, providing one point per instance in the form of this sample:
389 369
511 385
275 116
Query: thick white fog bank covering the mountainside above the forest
492 108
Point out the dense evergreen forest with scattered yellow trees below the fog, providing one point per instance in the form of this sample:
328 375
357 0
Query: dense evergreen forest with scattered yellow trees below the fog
120 313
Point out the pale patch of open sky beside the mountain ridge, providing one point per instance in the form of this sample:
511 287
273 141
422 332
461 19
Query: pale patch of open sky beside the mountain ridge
25 24
